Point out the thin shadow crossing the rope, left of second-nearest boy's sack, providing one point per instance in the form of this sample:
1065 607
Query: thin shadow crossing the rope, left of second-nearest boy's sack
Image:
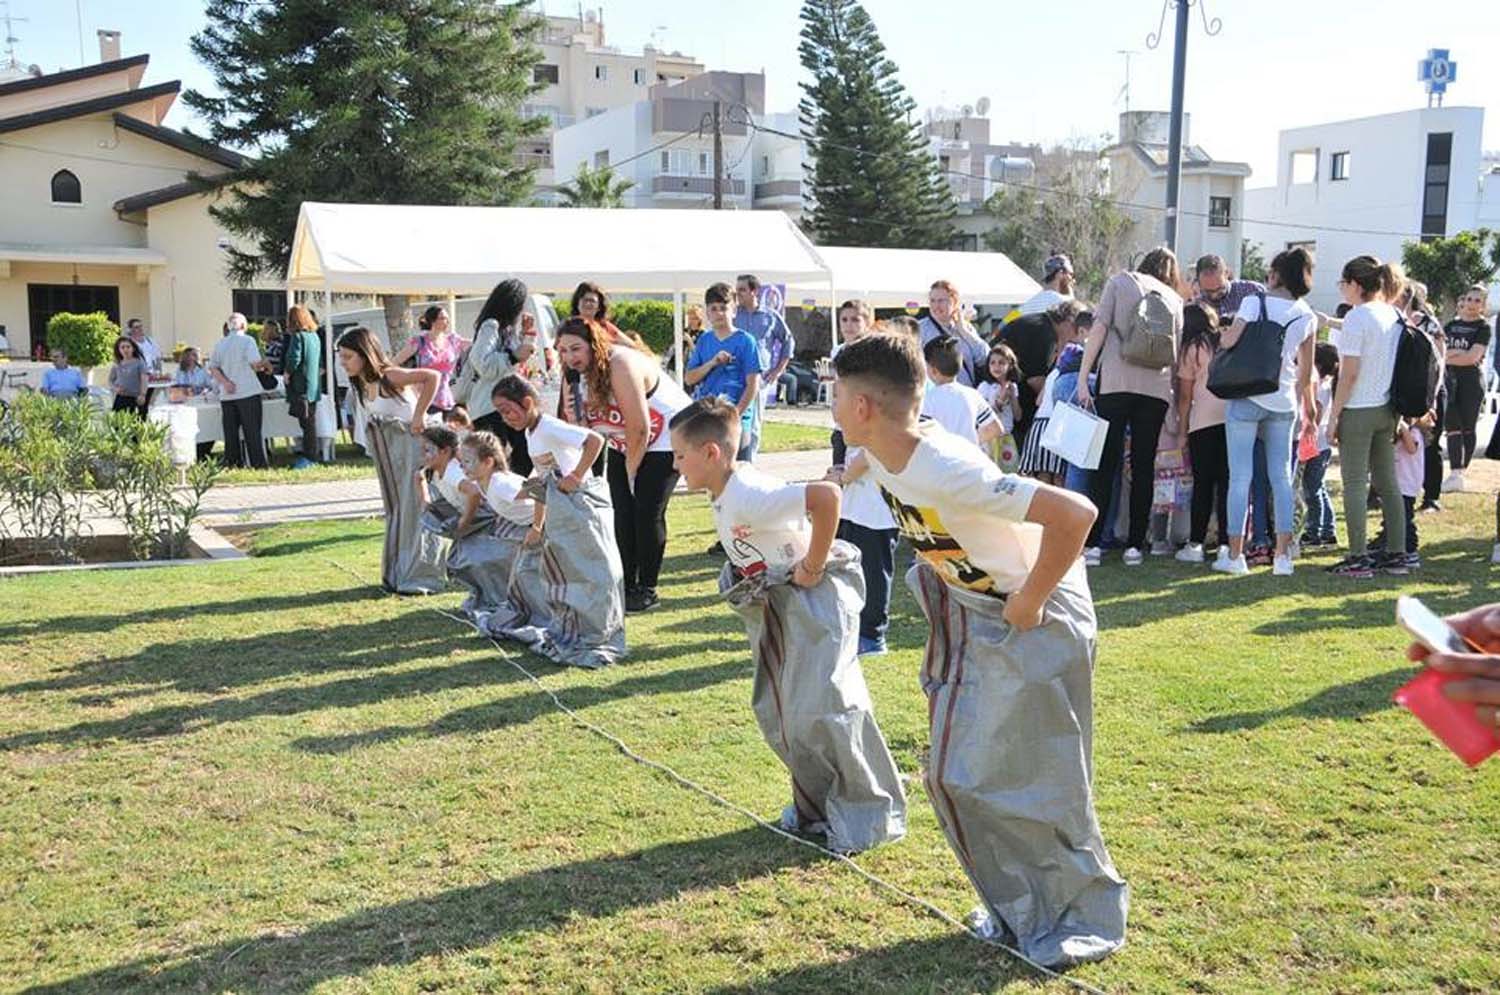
521 709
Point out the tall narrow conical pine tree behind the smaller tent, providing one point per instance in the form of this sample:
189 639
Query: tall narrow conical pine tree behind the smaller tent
874 181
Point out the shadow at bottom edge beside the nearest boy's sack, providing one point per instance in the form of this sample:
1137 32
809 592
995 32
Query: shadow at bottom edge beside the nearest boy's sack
943 964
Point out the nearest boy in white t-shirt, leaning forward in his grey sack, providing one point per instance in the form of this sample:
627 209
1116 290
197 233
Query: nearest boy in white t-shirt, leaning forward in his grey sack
1009 666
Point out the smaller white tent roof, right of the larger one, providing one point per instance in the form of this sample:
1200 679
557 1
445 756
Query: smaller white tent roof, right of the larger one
895 278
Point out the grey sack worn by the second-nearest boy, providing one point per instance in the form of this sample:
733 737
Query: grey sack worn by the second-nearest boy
812 703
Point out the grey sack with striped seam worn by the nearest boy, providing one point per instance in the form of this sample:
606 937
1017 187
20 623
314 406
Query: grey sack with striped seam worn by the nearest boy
1012 762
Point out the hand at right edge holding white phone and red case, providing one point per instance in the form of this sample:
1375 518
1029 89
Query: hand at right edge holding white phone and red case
1459 694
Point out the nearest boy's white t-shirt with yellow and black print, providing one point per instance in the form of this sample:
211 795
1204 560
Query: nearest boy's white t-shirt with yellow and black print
964 516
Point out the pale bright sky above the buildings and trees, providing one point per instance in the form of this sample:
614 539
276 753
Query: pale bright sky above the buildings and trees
1051 70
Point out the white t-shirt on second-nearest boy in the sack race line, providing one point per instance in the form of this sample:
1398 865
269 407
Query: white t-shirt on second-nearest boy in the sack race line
763 520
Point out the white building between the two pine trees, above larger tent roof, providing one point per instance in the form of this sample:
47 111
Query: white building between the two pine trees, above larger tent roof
665 146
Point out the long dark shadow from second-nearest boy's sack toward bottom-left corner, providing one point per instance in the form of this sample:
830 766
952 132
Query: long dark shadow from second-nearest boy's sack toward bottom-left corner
451 922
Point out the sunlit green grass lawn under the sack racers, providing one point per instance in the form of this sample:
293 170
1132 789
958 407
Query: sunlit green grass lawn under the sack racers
271 777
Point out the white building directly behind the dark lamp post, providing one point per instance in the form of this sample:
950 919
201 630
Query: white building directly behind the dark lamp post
1211 196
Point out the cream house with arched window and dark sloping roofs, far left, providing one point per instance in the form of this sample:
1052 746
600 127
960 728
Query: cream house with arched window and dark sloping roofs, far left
98 214
